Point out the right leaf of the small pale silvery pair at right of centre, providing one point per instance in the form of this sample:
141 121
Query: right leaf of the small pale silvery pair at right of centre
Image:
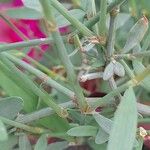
119 69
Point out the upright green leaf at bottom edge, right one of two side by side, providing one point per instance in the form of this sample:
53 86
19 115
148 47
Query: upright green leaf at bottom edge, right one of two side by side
41 143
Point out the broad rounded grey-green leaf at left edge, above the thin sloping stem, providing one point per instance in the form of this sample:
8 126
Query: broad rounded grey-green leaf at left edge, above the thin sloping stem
10 107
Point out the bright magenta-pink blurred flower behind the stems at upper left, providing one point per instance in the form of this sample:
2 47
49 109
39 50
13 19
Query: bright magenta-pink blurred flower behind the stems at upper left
30 28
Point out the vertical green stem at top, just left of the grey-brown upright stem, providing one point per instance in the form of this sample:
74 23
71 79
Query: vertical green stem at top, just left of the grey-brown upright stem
102 20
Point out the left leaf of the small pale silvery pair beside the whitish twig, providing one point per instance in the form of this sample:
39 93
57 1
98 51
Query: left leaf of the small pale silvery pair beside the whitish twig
109 71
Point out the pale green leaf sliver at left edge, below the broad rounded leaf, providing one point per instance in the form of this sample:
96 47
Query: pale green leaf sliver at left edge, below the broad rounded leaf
3 132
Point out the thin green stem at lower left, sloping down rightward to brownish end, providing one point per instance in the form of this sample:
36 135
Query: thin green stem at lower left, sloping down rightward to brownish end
35 130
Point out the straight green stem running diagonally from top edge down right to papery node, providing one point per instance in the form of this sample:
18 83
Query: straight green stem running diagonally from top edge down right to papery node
76 23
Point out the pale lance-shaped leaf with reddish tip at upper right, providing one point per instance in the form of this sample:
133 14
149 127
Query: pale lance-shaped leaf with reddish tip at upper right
136 34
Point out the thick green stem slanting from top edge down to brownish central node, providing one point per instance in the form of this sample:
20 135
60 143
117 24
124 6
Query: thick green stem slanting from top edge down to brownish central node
62 52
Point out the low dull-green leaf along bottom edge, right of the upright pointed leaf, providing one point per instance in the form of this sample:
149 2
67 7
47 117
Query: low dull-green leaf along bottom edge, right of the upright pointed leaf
57 146
